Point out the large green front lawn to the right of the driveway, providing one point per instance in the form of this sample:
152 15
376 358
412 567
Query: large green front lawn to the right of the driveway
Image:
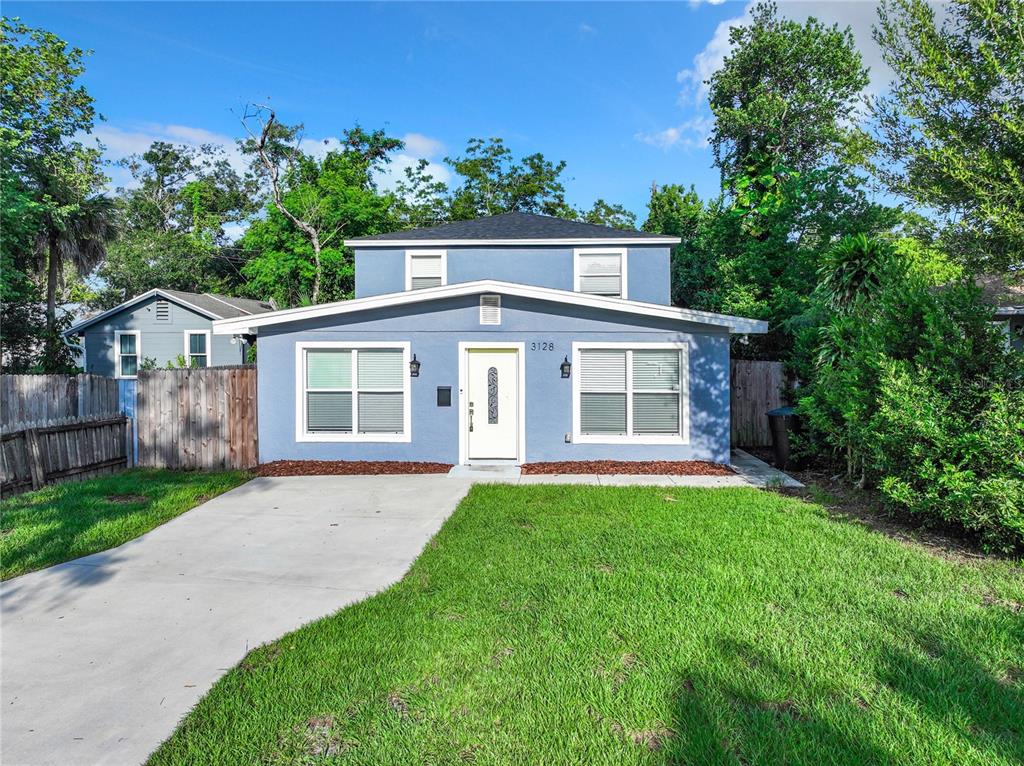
585 625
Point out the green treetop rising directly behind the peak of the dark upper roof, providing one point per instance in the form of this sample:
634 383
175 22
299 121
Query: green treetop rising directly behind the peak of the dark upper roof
494 182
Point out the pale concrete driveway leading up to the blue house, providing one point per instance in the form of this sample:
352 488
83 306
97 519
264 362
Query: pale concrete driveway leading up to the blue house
104 656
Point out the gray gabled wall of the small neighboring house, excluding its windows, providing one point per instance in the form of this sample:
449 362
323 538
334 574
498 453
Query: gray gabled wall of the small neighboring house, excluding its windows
160 341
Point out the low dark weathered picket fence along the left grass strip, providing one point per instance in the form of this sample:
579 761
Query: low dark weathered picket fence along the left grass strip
33 455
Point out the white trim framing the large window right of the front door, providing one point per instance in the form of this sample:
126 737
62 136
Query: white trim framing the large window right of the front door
649 439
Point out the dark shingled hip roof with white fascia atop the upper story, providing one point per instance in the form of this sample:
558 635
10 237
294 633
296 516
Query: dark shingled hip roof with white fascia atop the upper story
516 227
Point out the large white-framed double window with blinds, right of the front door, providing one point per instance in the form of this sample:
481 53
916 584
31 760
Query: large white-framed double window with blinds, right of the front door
631 394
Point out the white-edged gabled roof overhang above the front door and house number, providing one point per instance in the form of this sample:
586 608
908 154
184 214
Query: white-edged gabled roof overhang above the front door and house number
250 325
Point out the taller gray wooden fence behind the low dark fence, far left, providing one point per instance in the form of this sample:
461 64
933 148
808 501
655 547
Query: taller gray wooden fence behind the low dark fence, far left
45 398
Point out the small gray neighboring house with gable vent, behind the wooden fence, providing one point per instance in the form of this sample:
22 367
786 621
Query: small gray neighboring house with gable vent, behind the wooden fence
163 325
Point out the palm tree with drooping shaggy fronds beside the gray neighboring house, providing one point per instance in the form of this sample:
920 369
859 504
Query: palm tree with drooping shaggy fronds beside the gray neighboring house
73 235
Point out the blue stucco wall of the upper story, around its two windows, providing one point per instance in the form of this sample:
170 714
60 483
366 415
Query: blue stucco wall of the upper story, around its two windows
381 271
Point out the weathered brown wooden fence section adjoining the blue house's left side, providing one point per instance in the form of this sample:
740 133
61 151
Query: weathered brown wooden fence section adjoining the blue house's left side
197 418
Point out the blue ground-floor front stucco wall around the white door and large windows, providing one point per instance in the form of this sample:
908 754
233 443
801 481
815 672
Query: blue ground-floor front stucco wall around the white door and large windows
435 336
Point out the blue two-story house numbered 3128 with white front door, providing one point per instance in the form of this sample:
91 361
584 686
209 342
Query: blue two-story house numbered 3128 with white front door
514 338
